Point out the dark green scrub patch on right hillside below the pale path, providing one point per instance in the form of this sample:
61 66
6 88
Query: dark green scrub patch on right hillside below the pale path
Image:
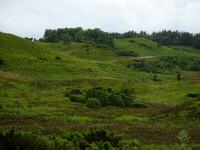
166 64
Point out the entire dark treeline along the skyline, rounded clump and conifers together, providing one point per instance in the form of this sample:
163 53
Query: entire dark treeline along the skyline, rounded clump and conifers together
99 37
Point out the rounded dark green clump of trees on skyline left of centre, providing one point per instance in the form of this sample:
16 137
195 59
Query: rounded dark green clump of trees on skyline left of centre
67 35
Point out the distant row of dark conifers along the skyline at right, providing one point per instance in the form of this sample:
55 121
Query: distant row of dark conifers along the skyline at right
164 37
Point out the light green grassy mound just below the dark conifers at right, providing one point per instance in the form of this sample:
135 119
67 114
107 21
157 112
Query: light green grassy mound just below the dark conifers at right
145 47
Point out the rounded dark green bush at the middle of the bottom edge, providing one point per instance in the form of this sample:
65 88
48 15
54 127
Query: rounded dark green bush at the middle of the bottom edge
95 137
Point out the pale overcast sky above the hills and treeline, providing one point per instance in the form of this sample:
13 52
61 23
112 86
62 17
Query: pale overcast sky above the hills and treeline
30 18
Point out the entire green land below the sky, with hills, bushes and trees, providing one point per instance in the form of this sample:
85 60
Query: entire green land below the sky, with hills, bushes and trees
88 89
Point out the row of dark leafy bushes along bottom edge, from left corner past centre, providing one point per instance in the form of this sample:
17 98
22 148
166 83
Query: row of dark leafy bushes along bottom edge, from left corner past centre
93 138
